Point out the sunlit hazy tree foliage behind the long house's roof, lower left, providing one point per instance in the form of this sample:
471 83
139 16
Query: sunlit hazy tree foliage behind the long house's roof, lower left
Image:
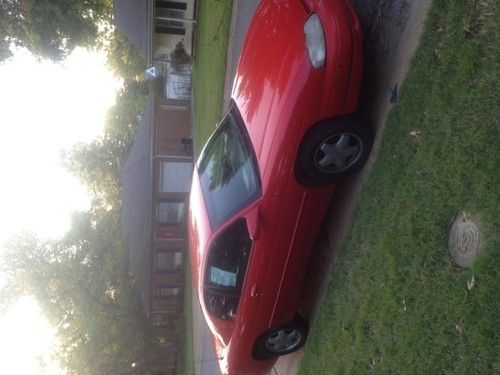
82 281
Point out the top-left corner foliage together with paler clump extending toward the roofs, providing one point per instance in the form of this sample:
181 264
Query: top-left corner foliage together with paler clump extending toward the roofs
51 29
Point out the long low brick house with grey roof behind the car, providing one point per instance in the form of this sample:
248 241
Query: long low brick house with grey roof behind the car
155 188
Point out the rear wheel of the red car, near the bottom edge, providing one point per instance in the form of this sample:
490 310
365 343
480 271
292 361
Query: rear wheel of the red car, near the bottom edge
281 340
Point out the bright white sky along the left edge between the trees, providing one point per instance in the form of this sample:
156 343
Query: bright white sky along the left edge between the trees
45 108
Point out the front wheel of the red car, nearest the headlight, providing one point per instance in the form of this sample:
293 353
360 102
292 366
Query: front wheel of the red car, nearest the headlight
333 150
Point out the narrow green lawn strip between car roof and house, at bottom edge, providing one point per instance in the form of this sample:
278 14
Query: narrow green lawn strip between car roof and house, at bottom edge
188 364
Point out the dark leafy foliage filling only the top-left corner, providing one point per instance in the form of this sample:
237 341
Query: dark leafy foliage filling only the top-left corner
52 28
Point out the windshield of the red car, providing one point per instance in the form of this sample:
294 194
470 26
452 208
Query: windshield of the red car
228 171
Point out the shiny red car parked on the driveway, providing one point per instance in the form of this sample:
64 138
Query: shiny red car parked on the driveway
262 184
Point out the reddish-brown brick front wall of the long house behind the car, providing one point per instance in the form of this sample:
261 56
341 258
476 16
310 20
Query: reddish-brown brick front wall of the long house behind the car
172 125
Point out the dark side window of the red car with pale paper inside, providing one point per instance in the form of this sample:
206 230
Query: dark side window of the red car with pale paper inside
225 270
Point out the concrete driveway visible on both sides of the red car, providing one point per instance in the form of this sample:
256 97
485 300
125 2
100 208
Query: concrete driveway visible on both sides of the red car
391 32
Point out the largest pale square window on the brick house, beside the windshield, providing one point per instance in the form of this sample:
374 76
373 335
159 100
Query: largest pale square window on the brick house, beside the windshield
175 177
